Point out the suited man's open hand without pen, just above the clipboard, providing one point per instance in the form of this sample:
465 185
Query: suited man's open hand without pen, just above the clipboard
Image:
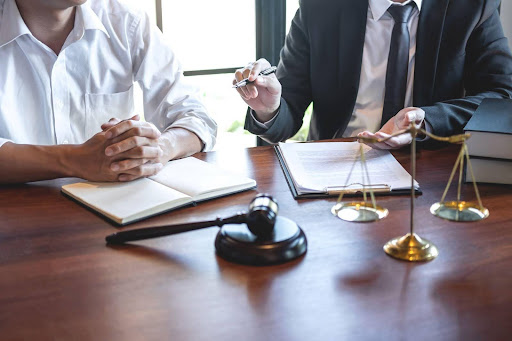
399 122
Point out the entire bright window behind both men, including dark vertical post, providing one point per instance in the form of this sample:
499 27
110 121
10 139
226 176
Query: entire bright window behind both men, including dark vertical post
214 38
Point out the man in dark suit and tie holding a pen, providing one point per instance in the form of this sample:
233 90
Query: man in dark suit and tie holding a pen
342 56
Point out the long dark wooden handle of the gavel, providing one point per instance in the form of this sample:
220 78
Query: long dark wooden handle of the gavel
160 231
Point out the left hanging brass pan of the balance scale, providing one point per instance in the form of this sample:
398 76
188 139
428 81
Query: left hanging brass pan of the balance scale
359 211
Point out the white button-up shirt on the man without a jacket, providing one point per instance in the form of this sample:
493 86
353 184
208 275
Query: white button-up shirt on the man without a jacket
48 99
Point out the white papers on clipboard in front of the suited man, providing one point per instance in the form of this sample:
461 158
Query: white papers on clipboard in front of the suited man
320 169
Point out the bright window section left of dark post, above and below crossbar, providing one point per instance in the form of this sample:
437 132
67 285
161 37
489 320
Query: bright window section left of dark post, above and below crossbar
214 37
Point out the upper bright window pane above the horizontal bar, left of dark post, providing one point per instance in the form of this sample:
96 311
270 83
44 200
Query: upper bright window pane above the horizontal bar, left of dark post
210 34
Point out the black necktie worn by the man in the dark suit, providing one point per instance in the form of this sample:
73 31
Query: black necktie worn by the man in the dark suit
398 62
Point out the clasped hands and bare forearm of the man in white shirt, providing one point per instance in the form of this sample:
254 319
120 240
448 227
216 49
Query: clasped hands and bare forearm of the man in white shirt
133 150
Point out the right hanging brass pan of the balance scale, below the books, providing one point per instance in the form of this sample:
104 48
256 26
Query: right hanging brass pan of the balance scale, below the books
459 211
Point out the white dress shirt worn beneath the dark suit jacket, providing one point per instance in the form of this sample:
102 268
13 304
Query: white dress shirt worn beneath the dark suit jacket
369 104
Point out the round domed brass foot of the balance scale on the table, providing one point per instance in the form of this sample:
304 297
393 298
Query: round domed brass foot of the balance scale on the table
411 248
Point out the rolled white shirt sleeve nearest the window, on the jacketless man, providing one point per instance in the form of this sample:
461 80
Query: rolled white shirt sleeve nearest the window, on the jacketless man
170 101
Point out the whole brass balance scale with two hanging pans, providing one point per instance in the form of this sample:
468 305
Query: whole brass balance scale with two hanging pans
411 247
